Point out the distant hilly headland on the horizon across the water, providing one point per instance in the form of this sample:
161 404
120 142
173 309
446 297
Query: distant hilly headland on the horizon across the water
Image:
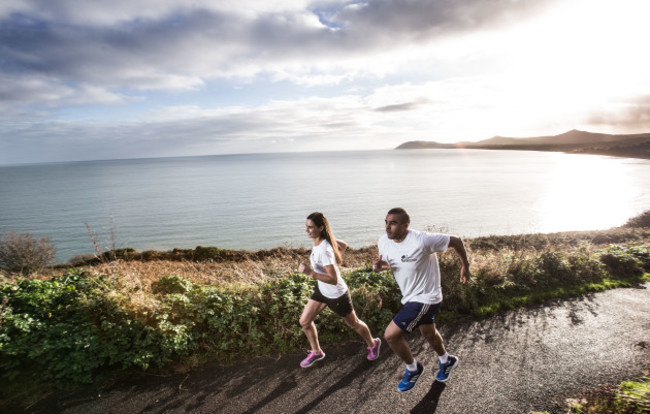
574 141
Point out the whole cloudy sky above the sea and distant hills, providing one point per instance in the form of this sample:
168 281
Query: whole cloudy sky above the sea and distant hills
110 79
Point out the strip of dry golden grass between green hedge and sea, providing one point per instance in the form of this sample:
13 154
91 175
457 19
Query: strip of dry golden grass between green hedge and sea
491 258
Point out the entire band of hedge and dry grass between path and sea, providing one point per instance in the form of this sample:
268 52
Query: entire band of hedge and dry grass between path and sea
154 311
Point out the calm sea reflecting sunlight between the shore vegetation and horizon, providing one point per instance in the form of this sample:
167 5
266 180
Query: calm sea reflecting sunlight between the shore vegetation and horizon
260 201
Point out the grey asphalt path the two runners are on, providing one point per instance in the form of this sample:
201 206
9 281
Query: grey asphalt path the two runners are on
523 360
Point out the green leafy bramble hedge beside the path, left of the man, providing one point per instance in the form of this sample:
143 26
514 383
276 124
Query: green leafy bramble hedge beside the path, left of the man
69 328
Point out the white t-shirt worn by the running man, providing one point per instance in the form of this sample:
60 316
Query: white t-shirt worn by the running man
415 264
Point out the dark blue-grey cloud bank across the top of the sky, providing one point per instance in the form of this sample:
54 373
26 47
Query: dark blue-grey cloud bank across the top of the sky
172 45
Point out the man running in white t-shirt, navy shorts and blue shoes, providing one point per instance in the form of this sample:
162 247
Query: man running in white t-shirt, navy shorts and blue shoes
412 257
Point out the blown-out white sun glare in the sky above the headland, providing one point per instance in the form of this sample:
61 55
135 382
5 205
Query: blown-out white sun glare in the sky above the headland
581 58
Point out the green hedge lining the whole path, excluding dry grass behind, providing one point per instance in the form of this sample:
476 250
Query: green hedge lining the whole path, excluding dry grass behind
71 327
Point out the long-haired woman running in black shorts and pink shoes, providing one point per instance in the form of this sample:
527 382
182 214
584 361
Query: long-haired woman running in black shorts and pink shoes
331 290
